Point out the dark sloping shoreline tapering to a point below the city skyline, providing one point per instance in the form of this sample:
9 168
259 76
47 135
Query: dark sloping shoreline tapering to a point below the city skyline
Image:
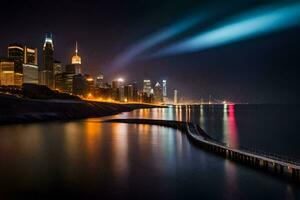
14 110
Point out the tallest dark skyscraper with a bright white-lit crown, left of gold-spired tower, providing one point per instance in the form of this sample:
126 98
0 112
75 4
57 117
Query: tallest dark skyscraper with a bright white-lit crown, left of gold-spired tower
47 72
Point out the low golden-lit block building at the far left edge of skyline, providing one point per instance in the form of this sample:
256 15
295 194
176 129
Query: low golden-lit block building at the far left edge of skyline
8 76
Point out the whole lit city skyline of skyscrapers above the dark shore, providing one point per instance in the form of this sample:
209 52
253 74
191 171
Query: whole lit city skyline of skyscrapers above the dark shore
20 71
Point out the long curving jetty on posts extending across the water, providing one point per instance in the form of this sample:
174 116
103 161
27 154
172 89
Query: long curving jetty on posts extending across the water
257 159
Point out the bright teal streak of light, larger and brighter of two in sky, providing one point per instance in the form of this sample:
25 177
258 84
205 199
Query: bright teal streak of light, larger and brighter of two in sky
251 24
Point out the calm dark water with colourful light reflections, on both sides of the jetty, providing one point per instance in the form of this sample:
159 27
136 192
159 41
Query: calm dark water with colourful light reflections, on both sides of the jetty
89 159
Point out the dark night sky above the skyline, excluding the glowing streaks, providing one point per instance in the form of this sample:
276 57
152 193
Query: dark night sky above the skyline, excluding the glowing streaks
262 69
